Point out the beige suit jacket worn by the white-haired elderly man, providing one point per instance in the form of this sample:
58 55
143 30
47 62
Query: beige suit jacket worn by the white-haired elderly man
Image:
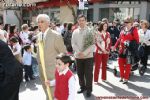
53 45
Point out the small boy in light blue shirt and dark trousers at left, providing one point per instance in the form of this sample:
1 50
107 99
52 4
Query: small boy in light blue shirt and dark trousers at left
27 61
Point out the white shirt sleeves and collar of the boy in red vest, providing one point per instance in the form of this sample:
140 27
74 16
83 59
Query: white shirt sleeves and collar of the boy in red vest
72 85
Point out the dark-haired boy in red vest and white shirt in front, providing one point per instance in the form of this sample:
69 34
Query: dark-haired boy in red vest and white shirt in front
64 82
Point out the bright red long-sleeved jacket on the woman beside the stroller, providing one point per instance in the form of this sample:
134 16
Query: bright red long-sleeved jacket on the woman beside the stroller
131 35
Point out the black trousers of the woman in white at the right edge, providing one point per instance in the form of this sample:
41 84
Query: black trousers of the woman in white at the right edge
144 59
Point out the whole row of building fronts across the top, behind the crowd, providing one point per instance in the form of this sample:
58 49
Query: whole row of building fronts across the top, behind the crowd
59 10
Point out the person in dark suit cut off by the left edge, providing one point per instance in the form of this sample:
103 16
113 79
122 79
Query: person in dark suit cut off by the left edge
10 74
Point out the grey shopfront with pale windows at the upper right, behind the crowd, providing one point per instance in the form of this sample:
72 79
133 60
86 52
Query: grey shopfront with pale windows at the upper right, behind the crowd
120 10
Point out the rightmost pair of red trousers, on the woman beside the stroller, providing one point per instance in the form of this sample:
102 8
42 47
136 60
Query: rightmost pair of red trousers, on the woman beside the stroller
124 68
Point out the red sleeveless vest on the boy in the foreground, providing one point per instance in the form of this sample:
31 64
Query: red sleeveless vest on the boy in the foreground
62 83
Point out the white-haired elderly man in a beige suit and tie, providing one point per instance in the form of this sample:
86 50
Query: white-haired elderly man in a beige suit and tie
53 45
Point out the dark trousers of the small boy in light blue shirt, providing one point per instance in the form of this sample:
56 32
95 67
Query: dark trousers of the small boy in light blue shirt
28 72
